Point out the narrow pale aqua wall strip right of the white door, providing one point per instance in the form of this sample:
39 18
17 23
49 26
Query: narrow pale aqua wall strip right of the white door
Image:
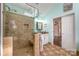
76 10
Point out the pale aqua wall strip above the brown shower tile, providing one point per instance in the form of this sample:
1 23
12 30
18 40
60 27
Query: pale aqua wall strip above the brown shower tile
19 9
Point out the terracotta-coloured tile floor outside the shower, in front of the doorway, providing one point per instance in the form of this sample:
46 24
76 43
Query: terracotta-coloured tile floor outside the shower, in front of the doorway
53 50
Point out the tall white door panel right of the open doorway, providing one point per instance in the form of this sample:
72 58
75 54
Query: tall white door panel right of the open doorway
68 38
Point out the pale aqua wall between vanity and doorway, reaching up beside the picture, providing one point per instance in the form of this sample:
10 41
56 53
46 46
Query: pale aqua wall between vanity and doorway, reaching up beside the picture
56 10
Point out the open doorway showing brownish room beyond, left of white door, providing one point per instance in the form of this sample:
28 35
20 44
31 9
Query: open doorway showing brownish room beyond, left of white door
57 31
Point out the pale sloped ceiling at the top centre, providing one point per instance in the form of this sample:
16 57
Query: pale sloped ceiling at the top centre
44 8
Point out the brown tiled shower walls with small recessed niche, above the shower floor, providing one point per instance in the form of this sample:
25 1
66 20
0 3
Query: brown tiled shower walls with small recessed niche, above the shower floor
24 29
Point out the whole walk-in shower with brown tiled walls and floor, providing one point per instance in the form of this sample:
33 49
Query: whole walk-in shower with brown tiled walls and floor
20 28
